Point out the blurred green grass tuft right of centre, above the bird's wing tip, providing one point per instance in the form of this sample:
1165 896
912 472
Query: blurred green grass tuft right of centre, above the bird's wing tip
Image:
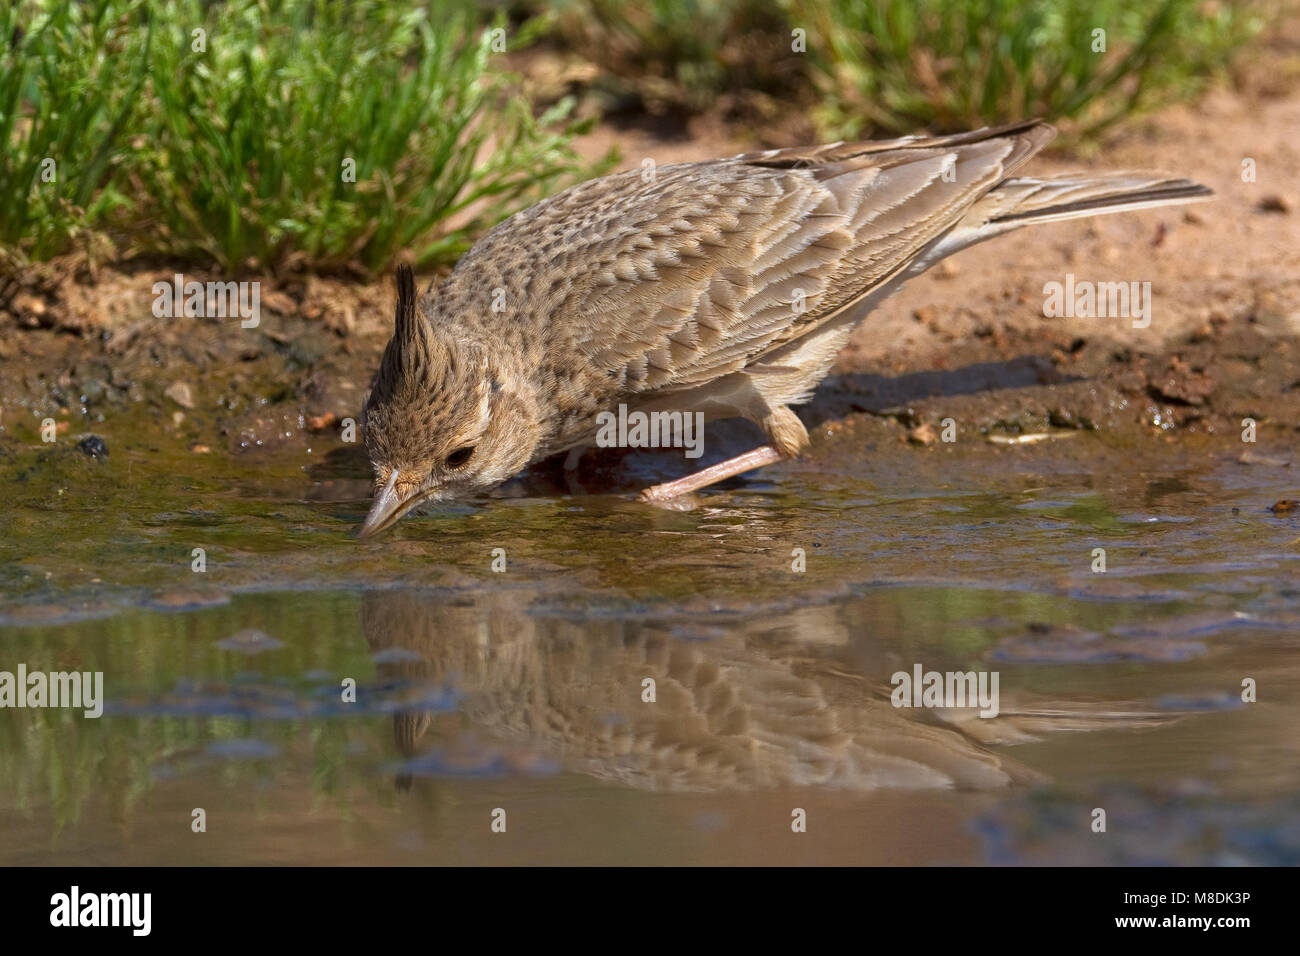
899 66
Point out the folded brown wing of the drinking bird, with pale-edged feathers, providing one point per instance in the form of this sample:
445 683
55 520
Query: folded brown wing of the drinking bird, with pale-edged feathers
703 269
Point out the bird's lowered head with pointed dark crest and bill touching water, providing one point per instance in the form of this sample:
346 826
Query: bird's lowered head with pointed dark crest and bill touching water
447 417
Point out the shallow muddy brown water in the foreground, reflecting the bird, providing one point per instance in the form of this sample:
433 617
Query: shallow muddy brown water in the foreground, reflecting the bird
517 694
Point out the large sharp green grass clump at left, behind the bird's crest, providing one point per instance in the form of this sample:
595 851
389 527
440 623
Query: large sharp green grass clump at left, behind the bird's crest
239 152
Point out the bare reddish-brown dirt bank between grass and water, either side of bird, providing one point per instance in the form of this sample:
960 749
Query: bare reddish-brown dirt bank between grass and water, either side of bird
968 341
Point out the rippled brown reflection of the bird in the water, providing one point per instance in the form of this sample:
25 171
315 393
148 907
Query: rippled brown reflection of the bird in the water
785 700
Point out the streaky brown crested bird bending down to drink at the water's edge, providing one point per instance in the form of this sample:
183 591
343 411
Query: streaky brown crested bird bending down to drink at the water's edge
722 288
